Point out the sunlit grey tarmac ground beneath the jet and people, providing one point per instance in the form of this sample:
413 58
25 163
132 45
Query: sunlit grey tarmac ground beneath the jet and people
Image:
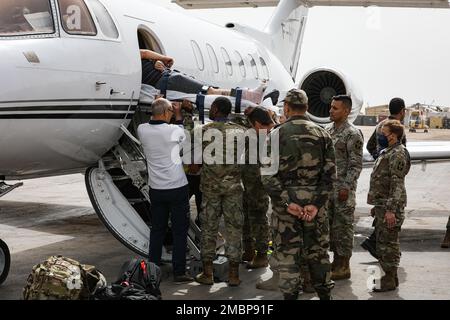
51 216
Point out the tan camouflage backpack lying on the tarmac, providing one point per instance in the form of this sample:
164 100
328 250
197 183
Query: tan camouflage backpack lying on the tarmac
61 278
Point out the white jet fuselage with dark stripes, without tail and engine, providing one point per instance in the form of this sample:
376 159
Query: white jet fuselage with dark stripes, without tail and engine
64 96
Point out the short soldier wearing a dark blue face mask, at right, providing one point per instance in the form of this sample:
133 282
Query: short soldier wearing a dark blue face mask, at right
388 195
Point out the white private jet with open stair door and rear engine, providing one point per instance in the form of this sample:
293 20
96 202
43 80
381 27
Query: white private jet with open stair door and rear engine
71 82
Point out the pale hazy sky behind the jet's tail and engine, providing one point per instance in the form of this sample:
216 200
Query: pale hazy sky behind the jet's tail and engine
386 52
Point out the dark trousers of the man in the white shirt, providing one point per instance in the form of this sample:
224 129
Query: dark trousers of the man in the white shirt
176 203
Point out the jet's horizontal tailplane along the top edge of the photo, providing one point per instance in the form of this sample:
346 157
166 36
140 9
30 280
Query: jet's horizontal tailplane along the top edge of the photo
203 4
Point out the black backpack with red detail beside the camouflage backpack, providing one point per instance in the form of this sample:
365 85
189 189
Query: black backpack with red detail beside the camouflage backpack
138 280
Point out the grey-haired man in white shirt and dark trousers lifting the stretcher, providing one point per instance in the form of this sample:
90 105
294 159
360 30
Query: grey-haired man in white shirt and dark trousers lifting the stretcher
169 194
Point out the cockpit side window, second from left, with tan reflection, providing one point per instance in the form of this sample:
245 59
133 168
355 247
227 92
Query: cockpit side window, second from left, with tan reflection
76 19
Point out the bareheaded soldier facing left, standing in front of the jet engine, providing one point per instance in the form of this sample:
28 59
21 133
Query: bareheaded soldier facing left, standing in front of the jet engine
348 145
